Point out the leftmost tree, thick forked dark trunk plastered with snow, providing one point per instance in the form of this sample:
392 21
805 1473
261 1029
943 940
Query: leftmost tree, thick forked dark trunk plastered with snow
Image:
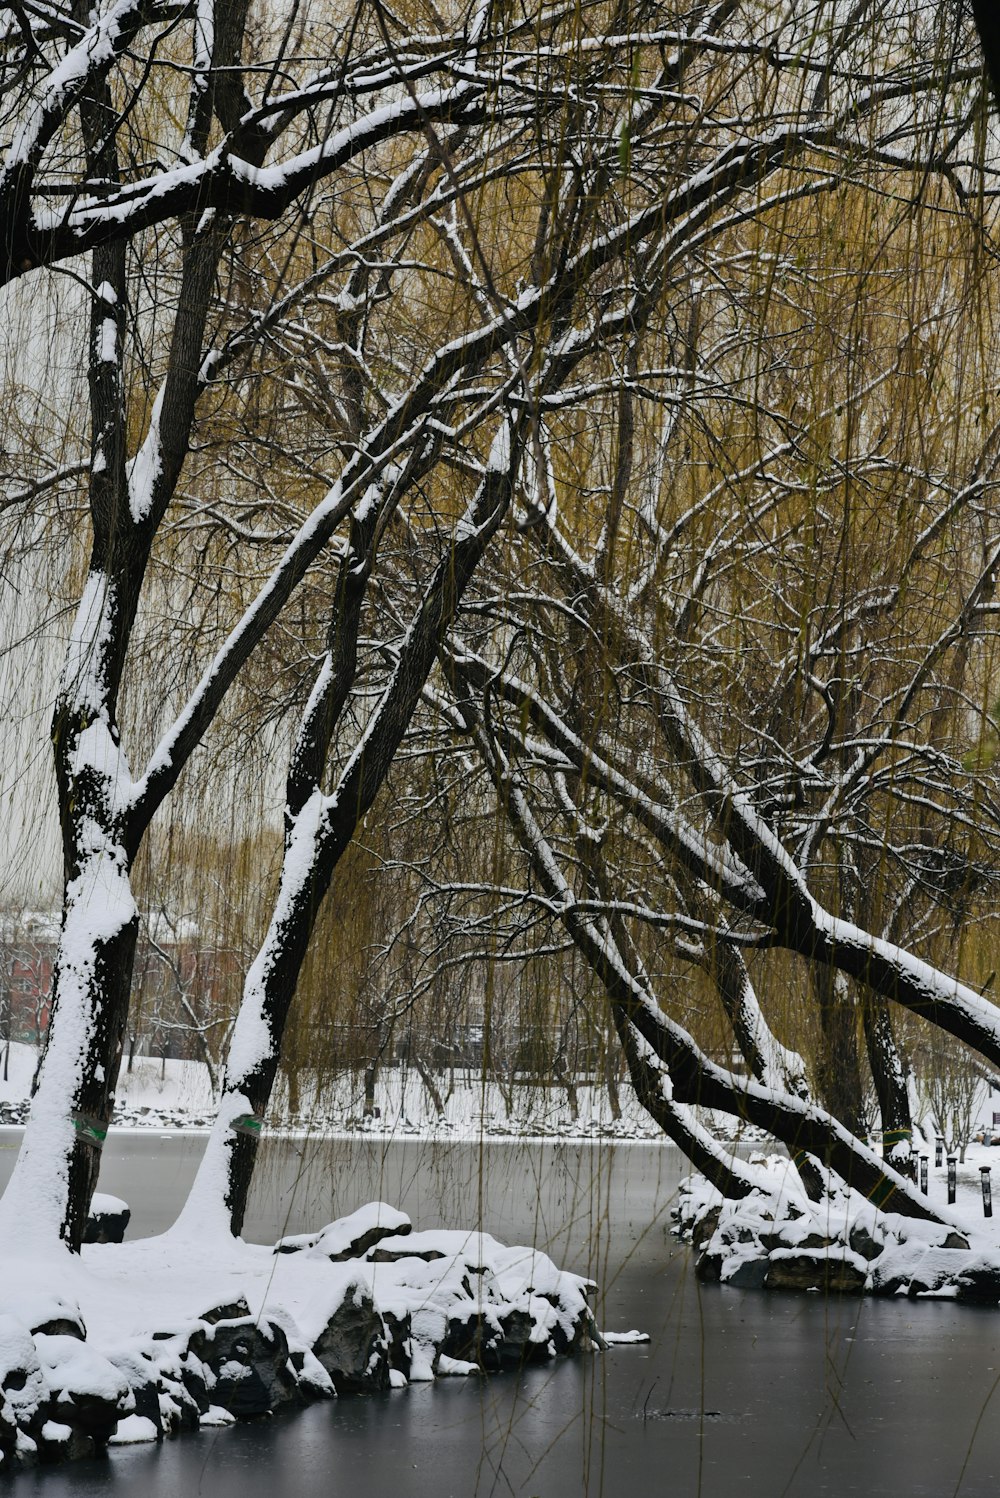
134 140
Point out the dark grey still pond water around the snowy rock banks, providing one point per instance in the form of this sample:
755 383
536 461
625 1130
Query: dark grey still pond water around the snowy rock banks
739 1394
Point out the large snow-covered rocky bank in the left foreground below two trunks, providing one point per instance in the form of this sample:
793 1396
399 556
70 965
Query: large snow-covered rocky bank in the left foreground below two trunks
137 1341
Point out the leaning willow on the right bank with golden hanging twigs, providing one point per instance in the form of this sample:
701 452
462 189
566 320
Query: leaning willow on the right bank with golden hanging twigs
743 714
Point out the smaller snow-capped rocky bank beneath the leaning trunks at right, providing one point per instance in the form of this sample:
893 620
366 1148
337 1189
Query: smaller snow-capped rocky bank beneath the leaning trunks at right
778 1238
